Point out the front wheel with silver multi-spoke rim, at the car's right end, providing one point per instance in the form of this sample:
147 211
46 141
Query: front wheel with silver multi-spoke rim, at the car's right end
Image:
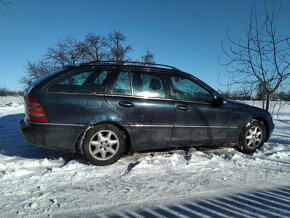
252 137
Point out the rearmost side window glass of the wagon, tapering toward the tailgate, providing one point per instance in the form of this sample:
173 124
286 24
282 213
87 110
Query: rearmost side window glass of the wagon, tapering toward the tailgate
88 81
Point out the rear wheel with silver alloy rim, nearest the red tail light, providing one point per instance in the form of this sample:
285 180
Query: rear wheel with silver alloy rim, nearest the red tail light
103 145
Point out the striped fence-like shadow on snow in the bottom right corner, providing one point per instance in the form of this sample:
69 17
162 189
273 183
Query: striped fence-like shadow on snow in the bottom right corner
268 202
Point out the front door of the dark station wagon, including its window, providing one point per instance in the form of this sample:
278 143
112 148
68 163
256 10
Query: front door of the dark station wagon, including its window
197 122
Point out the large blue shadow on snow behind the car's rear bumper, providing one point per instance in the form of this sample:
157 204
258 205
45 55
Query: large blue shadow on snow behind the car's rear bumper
12 144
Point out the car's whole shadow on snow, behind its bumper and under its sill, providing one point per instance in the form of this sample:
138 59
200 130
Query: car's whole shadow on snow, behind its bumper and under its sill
12 144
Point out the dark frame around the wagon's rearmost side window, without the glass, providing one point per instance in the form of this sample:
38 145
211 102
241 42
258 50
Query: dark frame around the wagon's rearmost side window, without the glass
77 71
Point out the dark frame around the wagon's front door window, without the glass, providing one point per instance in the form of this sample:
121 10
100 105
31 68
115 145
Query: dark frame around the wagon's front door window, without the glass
192 79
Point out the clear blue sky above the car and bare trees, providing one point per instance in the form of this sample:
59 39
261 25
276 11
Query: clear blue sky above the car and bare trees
185 33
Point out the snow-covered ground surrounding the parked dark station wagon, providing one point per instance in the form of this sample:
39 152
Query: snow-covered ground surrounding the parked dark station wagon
221 182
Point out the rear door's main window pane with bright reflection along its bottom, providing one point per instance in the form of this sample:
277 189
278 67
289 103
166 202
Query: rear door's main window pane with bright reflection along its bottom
148 85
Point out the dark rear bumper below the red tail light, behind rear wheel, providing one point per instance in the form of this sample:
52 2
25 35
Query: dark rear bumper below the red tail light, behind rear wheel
54 136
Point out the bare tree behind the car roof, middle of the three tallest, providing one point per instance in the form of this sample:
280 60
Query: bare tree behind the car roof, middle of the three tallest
93 48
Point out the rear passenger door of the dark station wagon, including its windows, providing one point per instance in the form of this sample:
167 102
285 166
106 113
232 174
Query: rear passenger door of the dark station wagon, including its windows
145 107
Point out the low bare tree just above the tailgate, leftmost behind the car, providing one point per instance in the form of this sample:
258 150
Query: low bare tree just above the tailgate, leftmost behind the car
36 70
